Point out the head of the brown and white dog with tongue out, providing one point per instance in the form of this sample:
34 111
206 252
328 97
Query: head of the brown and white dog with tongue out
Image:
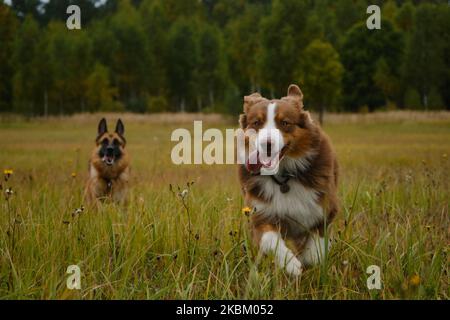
281 129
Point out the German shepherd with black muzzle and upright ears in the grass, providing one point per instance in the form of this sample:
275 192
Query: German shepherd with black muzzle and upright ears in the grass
108 166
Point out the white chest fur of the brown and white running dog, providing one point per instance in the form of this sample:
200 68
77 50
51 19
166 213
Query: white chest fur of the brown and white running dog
300 204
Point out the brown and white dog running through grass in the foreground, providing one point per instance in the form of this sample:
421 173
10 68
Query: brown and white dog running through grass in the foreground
293 192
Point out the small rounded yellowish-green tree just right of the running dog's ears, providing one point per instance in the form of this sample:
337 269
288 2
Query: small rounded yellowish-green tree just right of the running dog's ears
320 75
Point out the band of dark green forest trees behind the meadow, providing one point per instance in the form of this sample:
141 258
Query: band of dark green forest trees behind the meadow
190 55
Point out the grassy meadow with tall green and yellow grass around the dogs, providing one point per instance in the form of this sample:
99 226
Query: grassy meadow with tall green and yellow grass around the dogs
394 190
